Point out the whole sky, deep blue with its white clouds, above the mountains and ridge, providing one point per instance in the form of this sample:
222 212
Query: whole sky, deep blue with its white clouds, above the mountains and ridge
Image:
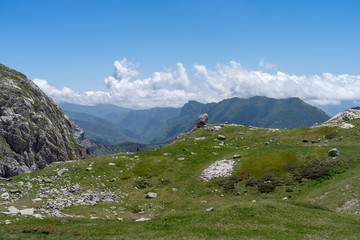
144 54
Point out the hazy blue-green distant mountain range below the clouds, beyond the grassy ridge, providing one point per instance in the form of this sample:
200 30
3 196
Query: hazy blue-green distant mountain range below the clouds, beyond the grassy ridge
113 125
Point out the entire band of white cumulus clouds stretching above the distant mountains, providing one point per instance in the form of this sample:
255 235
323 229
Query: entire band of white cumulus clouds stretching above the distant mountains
172 87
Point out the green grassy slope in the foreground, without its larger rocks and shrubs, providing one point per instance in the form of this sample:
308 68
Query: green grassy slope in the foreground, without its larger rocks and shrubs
309 213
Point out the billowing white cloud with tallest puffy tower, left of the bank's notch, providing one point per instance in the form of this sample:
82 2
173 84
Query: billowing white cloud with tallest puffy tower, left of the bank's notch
167 88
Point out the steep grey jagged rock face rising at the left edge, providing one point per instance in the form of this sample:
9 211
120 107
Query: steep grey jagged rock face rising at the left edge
34 132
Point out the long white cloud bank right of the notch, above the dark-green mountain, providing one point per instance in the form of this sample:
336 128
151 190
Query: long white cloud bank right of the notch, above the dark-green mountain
232 80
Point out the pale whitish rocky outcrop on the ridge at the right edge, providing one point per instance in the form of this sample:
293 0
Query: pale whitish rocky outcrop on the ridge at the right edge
340 118
